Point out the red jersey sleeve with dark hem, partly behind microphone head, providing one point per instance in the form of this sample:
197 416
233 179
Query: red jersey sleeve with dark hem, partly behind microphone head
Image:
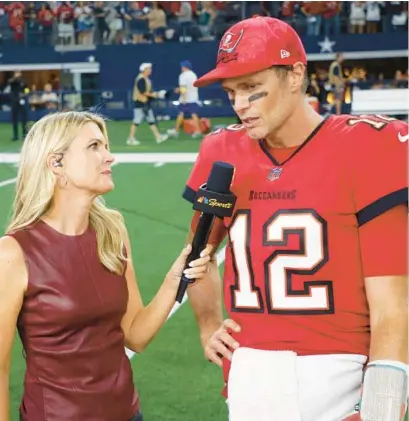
201 169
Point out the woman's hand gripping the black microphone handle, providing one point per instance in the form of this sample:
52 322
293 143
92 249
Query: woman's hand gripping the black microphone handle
197 270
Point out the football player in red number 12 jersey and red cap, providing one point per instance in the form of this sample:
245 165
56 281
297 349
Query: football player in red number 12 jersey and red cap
315 279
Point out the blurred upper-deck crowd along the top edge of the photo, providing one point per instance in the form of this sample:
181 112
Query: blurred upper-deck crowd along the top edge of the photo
82 23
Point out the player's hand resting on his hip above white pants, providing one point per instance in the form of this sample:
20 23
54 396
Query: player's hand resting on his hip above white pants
221 344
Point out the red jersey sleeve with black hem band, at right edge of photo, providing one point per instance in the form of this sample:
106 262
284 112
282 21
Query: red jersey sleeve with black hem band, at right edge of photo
379 156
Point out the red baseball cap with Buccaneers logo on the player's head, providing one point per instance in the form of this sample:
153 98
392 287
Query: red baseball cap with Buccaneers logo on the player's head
252 45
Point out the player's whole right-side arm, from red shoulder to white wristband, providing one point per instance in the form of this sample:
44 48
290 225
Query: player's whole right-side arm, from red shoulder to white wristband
381 205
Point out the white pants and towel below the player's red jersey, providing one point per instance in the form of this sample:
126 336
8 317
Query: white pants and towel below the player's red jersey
281 386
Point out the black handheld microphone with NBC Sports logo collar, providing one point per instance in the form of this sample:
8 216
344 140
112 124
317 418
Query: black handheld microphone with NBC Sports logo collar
213 199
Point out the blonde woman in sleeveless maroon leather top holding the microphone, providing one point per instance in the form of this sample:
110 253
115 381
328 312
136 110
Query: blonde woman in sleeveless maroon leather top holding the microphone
68 283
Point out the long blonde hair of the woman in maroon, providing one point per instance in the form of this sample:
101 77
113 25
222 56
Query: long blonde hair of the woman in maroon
35 183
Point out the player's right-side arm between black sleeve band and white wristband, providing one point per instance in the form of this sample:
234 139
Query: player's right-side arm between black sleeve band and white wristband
384 253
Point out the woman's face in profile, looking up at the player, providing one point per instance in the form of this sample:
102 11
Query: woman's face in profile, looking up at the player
87 162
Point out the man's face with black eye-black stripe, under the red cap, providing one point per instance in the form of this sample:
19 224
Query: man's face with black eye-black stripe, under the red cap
262 100
